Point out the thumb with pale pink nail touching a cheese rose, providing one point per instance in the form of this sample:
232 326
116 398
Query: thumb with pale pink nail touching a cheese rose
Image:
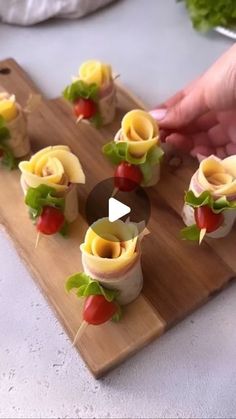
186 110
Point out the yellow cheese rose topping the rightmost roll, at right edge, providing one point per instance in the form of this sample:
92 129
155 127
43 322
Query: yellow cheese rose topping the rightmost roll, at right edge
218 176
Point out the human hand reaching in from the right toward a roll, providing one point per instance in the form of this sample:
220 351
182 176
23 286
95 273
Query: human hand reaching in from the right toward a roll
201 119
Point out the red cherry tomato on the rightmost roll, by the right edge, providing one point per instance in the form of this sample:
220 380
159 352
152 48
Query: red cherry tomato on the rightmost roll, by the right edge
206 218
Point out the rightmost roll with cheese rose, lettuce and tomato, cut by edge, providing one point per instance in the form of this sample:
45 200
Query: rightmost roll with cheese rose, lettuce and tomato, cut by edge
210 203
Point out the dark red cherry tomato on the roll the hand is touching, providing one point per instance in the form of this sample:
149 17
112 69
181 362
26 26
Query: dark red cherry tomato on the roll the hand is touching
127 177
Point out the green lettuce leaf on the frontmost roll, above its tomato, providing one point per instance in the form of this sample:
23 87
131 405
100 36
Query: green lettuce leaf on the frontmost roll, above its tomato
86 286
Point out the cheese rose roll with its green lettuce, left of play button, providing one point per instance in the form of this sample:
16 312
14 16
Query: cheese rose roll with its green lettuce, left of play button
57 170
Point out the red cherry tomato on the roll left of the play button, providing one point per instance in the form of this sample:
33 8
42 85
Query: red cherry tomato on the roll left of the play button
50 221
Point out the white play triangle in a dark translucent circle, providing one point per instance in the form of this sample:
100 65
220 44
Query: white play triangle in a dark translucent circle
104 201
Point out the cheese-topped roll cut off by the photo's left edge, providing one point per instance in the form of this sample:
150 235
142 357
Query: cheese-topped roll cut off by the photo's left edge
17 142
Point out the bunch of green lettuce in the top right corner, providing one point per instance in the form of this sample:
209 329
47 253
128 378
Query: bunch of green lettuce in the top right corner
207 14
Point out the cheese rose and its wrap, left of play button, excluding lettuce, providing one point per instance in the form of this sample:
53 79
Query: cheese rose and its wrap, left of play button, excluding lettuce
59 168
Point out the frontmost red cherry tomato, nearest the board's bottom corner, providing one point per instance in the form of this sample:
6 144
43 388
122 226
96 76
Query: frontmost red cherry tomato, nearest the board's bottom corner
98 310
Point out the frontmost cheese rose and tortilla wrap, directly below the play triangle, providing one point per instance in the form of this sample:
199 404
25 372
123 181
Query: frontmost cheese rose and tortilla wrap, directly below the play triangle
111 254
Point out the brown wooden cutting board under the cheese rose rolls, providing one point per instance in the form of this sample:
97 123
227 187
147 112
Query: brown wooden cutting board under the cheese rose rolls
178 276
